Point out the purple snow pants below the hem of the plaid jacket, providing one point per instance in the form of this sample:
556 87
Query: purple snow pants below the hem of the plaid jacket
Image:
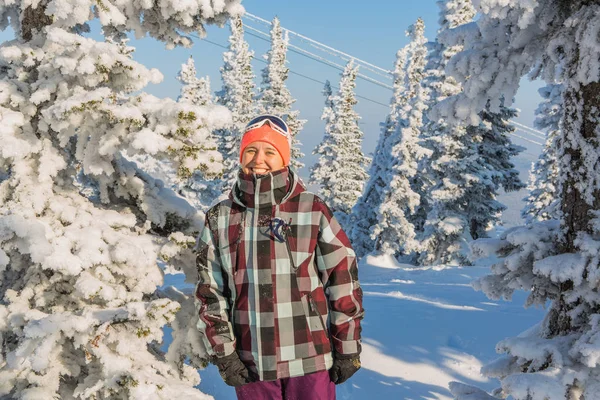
315 386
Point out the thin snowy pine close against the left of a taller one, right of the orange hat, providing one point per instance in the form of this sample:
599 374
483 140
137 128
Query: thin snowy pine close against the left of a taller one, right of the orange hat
321 170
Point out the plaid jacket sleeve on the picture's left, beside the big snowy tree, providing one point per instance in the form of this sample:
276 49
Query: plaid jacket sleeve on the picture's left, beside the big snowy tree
212 297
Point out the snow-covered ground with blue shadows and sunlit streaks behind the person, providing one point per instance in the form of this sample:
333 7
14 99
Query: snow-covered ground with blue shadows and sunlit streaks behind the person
422 329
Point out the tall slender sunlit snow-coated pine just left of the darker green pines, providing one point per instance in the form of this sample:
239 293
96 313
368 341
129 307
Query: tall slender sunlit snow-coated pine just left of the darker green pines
394 231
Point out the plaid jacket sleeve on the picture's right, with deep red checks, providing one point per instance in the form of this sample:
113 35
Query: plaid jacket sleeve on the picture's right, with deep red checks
337 266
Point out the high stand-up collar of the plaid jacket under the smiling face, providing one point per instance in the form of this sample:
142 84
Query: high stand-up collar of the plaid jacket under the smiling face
256 191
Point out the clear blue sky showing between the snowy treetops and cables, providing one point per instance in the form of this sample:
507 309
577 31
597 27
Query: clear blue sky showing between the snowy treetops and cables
372 31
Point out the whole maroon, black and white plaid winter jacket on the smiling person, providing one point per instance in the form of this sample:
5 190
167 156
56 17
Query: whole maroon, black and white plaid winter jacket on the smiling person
278 279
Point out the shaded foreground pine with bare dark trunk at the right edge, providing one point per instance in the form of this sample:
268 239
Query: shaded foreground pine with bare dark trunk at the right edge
556 261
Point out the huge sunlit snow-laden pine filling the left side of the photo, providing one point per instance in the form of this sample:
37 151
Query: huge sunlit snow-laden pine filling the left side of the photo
79 317
